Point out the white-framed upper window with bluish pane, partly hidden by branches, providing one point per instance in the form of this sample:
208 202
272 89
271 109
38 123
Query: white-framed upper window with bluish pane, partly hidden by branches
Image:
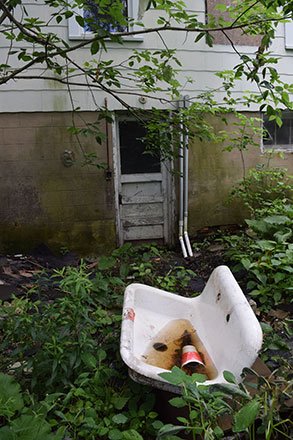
97 18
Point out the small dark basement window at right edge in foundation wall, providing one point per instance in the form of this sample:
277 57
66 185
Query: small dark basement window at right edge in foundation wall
279 138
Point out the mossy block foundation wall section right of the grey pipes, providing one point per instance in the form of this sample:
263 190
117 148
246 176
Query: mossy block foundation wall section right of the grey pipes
212 175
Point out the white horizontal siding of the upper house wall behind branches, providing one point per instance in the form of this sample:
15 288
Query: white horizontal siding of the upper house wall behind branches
199 63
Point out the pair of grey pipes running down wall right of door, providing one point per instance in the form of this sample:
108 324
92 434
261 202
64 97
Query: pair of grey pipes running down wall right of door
183 188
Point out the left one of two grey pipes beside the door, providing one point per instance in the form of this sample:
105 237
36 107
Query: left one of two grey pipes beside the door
181 186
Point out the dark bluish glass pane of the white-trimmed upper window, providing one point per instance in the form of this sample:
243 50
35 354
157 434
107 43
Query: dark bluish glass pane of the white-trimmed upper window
97 18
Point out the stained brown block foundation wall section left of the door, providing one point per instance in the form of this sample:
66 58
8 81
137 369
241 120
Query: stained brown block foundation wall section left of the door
43 201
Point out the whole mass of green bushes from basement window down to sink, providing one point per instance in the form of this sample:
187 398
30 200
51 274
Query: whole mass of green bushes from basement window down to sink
265 250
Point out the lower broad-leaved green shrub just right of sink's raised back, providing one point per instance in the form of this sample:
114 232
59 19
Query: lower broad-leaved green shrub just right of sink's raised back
265 251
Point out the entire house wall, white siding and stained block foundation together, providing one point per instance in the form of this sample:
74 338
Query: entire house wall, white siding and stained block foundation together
42 201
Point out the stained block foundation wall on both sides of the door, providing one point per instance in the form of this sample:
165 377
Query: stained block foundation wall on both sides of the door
43 201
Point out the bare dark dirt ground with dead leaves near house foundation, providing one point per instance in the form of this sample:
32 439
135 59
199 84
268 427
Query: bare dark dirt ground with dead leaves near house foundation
19 272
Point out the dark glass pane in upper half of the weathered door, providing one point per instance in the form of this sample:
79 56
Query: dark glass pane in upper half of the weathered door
134 158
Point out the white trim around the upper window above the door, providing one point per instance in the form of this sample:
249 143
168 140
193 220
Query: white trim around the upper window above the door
76 32
